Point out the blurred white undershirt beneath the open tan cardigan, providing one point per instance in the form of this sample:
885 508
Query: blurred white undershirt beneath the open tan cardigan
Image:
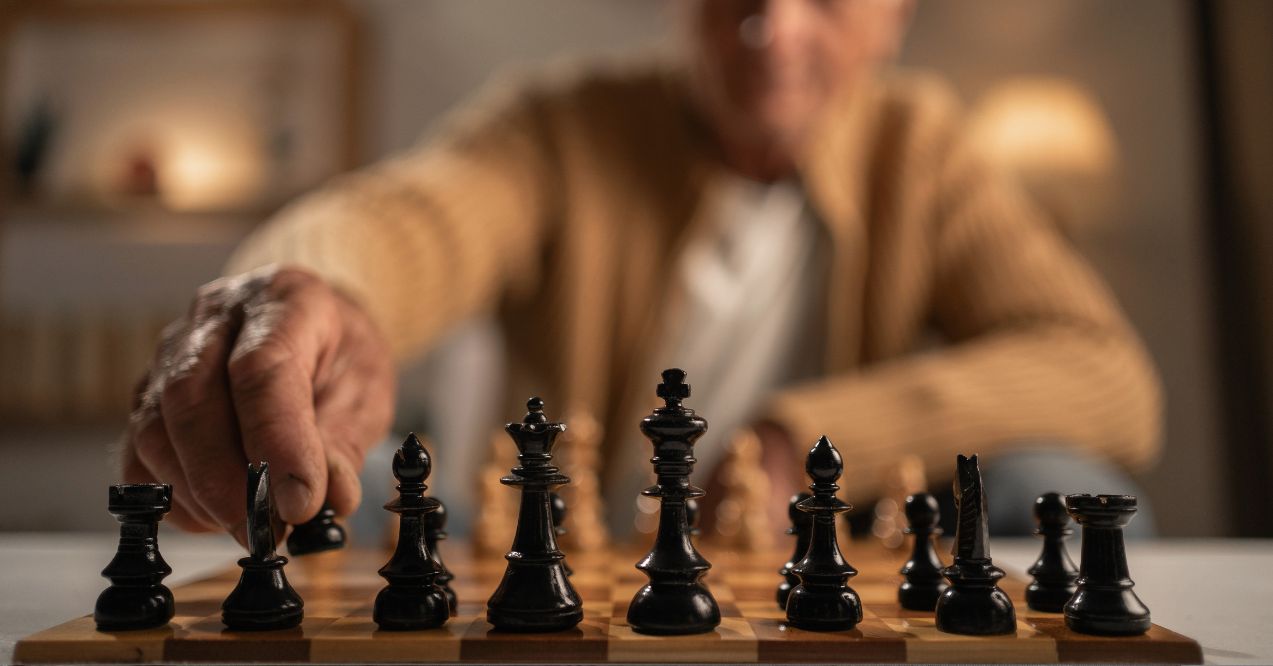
749 324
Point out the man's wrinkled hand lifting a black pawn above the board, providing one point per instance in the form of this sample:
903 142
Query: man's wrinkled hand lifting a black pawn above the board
269 366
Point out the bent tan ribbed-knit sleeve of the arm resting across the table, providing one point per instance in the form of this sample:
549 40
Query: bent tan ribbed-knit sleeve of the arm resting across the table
1039 351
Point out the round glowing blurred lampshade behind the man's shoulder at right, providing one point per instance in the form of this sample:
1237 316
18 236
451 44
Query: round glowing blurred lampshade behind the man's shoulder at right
1056 137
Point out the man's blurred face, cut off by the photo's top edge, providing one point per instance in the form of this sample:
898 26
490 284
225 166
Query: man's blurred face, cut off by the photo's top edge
766 69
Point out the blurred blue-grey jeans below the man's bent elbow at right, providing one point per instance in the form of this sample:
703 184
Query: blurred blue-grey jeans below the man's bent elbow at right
1014 479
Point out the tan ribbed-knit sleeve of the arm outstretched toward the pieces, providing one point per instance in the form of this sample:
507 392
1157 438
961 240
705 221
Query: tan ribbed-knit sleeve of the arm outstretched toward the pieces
435 235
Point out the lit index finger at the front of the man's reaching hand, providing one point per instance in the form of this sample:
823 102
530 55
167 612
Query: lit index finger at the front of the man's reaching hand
272 372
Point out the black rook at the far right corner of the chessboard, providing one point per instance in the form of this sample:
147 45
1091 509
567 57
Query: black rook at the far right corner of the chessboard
1104 603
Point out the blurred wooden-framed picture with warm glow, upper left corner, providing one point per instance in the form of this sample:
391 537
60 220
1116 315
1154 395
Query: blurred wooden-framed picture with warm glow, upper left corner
226 106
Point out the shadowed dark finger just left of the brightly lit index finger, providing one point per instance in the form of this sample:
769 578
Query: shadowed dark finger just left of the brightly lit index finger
199 418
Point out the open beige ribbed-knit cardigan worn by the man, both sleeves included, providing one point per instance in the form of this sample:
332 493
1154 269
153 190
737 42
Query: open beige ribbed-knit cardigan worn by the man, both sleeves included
561 206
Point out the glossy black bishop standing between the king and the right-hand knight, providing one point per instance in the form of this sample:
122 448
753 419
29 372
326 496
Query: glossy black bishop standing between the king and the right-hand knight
823 602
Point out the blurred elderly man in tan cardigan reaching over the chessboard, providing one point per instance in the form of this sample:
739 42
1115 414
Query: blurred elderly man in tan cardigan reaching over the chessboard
778 213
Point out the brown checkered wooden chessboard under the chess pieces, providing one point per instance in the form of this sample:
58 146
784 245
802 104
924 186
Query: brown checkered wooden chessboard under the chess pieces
339 589
